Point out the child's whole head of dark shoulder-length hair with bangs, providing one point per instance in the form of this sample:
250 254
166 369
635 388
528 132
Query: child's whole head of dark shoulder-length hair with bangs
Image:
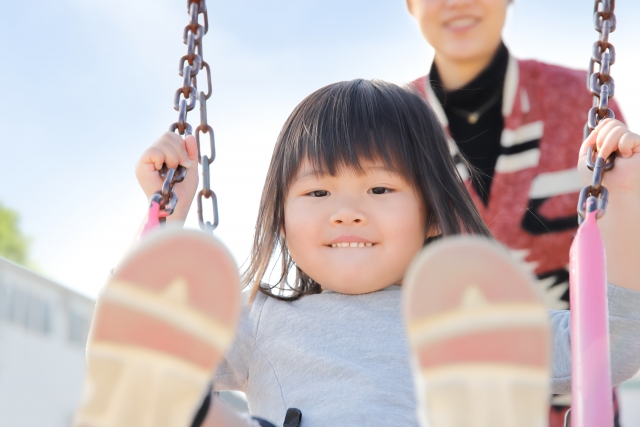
344 125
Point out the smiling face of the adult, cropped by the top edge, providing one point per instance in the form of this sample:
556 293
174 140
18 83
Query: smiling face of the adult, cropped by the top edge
461 29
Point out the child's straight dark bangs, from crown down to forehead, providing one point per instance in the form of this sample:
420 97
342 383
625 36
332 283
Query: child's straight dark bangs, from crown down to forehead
347 127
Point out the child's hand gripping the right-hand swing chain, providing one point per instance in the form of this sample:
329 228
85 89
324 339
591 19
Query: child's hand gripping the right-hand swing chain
613 136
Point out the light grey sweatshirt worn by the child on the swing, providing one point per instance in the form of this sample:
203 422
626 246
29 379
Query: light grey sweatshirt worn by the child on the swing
343 360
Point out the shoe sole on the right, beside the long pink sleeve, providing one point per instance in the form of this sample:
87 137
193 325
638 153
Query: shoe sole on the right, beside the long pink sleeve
479 337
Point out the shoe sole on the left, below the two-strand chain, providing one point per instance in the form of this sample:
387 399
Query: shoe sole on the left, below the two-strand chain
161 325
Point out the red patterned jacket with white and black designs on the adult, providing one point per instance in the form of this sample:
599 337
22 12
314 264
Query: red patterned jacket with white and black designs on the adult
532 204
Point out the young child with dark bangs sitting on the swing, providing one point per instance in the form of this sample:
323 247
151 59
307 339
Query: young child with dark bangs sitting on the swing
360 180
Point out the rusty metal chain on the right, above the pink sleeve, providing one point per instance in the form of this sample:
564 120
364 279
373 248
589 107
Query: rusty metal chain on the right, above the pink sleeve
602 86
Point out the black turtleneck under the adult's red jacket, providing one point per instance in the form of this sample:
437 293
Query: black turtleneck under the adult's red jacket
479 142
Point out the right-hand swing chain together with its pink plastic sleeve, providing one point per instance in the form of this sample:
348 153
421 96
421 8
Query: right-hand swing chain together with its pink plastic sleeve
591 377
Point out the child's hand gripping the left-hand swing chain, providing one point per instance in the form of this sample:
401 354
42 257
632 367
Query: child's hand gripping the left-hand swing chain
171 149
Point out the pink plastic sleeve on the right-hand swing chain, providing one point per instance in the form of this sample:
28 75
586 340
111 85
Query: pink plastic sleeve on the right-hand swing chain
591 368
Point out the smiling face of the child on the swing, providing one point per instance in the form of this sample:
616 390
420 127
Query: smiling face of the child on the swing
378 212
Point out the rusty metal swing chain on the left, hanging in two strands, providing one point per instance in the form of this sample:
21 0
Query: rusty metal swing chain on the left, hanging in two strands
185 100
